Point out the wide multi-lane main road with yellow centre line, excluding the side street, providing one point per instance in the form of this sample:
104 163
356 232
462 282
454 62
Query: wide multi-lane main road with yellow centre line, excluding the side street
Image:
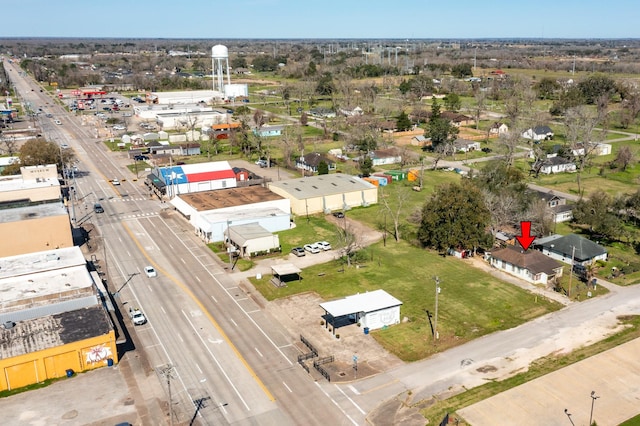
231 363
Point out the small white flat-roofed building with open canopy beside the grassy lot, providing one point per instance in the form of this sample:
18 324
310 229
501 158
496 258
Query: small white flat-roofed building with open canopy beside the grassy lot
373 310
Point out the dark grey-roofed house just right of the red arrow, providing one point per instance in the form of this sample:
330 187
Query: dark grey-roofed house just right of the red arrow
572 246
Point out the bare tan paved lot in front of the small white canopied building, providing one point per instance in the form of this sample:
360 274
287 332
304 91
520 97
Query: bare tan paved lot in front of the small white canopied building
302 315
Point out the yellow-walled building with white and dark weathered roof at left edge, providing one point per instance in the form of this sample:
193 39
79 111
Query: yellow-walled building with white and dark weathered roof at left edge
53 321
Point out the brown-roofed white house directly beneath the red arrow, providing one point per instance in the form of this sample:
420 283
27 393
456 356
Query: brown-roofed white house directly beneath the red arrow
529 265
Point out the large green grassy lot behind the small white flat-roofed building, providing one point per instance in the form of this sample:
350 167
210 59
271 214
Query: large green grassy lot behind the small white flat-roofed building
471 303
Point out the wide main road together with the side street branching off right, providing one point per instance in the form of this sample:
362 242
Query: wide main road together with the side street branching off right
227 352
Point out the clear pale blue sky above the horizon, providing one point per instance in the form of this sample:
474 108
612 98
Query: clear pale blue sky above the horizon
371 19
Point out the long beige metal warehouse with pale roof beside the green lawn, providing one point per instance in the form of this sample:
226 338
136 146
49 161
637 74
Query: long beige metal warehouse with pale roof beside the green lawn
326 193
